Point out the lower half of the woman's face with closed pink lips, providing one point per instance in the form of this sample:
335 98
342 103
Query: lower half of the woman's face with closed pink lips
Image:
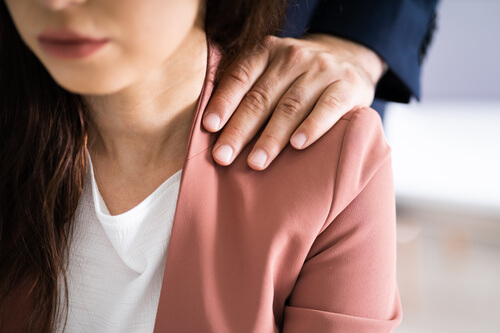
129 38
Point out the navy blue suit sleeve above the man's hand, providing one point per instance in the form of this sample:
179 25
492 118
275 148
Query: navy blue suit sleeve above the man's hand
398 30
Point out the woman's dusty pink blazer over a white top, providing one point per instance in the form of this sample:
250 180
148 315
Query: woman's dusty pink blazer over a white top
307 245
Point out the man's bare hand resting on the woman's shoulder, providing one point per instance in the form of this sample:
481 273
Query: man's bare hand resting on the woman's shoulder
304 85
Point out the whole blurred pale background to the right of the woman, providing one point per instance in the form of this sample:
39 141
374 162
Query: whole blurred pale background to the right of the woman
446 158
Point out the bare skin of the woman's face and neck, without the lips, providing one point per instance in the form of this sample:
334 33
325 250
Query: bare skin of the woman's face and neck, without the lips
142 87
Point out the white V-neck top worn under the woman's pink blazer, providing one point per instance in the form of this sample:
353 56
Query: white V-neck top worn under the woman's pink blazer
116 263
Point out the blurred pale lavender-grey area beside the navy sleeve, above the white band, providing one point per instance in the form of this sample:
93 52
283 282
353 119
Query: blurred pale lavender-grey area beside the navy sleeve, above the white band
464 59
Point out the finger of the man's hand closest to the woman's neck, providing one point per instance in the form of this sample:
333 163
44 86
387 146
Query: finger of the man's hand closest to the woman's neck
237 80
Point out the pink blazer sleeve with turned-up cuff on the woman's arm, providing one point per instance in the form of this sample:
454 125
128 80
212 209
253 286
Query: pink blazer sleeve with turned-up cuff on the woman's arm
348 280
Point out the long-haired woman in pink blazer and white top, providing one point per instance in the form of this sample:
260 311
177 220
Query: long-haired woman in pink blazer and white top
95 123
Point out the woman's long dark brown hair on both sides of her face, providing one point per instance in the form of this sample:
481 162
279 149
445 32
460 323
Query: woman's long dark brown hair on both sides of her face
43 130
